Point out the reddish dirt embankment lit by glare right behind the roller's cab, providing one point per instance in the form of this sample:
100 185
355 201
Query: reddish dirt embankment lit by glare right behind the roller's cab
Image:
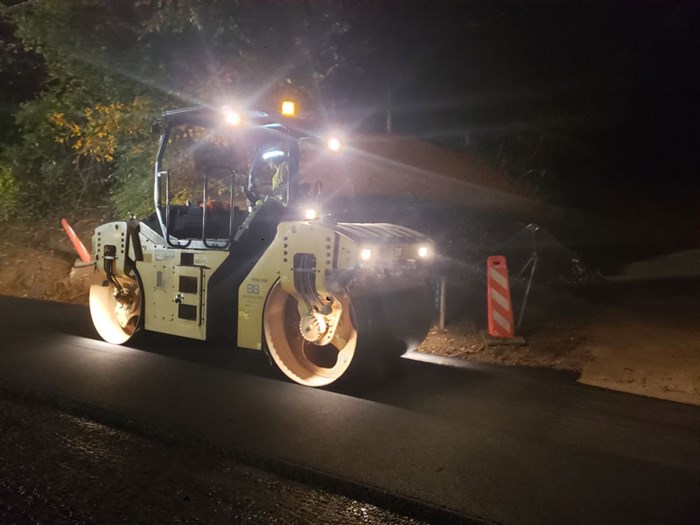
408 167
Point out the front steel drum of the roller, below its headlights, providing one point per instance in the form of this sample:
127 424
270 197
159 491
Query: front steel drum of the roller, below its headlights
374 331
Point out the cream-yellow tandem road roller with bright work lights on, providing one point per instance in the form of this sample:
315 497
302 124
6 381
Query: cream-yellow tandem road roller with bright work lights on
239 249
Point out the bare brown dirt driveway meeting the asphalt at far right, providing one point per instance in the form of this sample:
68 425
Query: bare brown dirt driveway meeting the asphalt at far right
644 338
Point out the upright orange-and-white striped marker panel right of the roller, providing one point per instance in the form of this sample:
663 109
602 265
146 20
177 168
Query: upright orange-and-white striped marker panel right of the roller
498 302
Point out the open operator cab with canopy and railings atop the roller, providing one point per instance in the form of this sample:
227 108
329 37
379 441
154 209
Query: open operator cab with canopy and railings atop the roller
216 166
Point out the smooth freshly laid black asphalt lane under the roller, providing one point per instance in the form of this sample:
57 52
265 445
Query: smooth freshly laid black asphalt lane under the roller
506 445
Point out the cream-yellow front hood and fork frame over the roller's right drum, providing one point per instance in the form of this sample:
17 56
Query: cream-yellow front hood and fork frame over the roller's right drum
335 249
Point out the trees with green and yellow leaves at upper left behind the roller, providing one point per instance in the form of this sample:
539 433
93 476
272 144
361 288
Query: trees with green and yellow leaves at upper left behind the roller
111 67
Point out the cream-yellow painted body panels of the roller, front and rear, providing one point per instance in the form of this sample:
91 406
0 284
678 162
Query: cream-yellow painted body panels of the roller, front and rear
175 281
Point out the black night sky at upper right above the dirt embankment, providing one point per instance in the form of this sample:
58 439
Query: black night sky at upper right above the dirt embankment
625 75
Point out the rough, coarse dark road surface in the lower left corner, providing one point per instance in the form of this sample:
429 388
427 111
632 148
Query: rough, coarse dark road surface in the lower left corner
56 467
